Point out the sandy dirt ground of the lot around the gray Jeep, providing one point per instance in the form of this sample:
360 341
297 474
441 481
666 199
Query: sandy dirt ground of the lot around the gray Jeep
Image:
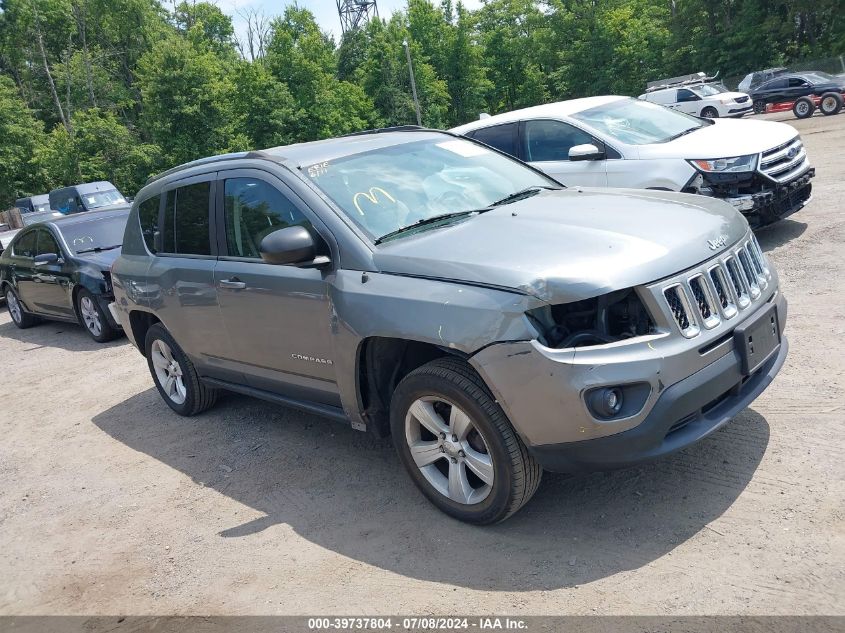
111 504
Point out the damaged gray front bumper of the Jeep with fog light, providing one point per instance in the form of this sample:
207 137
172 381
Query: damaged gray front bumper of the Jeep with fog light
693 388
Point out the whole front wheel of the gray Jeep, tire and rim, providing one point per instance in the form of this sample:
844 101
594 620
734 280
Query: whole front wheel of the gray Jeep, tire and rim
458 446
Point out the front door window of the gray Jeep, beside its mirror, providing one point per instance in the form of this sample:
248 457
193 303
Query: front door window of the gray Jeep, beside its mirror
254 209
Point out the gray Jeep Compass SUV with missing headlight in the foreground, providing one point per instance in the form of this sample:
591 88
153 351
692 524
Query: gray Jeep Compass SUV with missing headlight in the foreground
418 284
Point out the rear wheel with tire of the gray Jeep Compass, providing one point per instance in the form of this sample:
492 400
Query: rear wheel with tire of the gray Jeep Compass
174 374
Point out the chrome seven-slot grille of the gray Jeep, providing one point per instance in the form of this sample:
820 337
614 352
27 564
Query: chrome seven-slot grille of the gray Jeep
718 290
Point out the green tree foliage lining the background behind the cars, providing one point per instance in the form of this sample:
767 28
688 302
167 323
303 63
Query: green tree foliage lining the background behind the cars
120 89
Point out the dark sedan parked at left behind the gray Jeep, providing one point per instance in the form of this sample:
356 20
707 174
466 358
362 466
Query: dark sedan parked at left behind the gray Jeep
60 270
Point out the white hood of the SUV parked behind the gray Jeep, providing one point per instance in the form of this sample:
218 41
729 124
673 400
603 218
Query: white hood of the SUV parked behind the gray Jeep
725 138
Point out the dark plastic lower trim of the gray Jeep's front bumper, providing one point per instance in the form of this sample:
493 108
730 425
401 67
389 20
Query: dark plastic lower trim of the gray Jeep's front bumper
685 413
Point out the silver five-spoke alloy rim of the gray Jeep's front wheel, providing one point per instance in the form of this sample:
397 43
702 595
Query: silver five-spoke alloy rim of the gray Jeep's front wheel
449 450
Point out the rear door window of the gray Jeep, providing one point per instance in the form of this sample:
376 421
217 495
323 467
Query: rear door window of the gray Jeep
186 225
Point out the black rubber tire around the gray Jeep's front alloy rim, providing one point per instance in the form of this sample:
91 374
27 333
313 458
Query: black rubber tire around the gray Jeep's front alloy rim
516 475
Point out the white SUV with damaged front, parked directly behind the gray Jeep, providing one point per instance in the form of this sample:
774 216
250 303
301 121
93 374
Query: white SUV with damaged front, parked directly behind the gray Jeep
760 167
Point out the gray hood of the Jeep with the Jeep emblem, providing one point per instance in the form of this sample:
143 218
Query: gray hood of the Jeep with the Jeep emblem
562 246
